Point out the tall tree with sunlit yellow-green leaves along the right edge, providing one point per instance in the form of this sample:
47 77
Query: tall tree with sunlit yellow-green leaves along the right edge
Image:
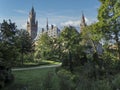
109 20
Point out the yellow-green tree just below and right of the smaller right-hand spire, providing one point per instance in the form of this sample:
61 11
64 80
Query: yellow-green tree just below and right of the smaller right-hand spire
91 37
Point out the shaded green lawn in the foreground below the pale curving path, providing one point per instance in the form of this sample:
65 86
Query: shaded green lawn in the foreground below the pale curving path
38 79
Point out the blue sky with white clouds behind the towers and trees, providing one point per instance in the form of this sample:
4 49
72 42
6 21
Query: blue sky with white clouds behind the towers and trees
58 12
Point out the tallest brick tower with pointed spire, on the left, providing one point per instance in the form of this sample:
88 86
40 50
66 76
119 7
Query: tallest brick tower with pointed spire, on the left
32 24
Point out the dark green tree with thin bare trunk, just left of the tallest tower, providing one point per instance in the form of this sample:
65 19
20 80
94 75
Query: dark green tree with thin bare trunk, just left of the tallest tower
24 44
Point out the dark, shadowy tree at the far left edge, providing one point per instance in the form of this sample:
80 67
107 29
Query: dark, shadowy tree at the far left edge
7 42
